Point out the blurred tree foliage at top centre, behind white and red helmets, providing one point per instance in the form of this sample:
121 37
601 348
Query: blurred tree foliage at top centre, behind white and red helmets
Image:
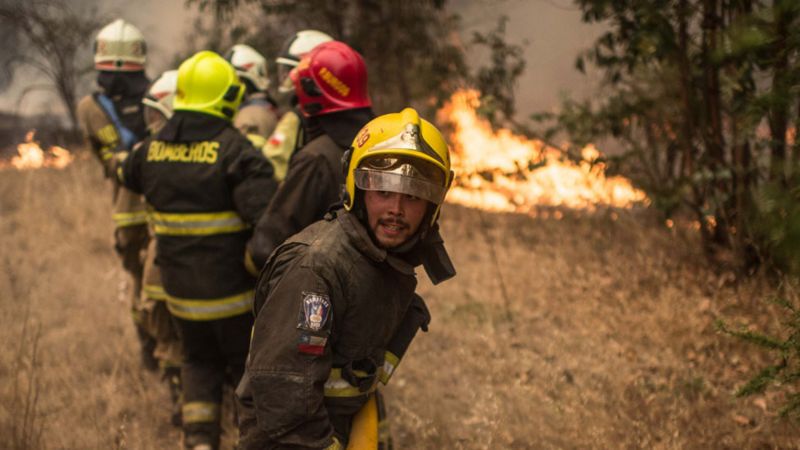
412 53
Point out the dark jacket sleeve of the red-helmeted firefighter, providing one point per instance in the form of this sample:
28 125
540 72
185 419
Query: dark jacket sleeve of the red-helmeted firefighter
300 201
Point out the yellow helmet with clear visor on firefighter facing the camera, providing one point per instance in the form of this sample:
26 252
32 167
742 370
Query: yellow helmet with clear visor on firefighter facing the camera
403 153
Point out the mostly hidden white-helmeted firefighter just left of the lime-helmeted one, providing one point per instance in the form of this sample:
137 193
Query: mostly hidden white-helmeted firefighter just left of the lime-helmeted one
156 318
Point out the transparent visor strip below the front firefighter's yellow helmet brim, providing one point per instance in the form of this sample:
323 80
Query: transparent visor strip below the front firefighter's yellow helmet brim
399 182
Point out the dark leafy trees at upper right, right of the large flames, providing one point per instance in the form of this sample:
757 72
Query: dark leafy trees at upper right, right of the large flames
702 97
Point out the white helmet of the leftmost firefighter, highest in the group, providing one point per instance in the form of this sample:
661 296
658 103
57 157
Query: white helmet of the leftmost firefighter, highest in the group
120 47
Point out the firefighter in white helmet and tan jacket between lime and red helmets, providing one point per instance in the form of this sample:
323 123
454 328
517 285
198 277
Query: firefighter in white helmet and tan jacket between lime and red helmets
257 114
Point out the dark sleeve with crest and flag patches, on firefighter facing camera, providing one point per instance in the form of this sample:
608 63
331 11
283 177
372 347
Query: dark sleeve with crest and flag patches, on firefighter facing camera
289 361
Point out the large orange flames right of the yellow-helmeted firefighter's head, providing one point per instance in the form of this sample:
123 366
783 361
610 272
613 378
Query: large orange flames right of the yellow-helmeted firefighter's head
497 170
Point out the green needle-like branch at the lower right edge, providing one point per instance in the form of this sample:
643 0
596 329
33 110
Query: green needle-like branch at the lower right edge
786 371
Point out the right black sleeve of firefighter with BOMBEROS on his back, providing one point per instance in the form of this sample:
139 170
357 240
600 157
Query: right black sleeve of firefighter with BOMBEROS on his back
252 181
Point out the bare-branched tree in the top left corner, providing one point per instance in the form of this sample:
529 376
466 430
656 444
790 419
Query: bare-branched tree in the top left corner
52 39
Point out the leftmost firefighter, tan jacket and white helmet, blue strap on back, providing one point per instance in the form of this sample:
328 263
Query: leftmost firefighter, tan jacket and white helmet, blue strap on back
112 121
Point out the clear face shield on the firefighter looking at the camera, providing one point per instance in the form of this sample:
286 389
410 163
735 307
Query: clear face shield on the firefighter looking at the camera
413 177
